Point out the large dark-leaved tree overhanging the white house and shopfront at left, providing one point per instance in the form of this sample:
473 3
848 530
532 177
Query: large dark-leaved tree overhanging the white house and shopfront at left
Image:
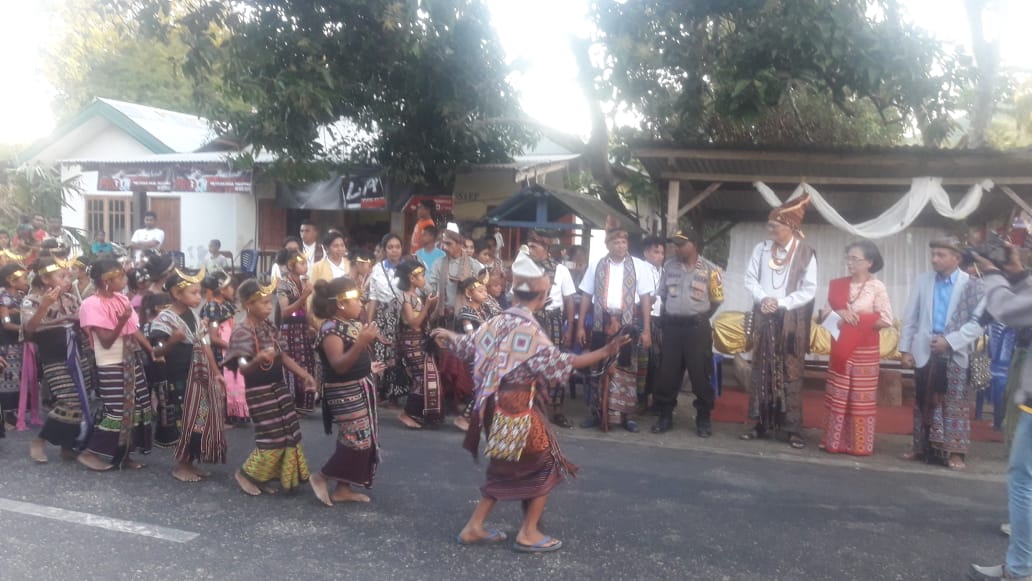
416 79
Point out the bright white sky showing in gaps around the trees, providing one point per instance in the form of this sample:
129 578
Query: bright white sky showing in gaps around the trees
534 34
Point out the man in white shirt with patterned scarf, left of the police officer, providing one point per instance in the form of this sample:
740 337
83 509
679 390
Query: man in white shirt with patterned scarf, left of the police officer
620 289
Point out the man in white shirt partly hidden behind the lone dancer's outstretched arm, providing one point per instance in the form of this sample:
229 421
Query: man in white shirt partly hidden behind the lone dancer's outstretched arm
561 301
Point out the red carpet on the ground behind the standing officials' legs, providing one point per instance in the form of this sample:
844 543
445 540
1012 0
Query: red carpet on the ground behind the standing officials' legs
733 407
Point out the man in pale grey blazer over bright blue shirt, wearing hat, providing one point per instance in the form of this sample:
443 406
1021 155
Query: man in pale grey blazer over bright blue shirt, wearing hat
941 326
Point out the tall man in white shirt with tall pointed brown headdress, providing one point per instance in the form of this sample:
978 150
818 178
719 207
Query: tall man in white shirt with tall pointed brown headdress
782 278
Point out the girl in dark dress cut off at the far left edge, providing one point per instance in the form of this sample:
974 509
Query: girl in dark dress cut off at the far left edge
15 279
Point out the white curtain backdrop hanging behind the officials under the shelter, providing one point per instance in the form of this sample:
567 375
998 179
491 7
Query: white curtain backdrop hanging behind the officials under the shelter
907 255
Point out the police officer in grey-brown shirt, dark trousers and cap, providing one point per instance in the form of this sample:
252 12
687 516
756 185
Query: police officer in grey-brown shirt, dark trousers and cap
692 289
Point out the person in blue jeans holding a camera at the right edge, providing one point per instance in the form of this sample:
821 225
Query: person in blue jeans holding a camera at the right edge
1009 300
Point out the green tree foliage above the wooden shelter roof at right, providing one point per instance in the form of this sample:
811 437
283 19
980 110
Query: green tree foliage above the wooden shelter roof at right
777 72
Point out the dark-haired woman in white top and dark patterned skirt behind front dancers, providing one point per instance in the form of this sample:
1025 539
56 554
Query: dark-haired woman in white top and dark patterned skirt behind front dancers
383 309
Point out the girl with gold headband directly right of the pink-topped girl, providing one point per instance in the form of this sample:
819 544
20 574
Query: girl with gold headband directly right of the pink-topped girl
192 379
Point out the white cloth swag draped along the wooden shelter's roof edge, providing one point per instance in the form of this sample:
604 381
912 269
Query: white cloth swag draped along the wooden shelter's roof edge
897 218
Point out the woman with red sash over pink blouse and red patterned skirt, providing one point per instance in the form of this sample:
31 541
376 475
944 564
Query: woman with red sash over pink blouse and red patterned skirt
861 304
